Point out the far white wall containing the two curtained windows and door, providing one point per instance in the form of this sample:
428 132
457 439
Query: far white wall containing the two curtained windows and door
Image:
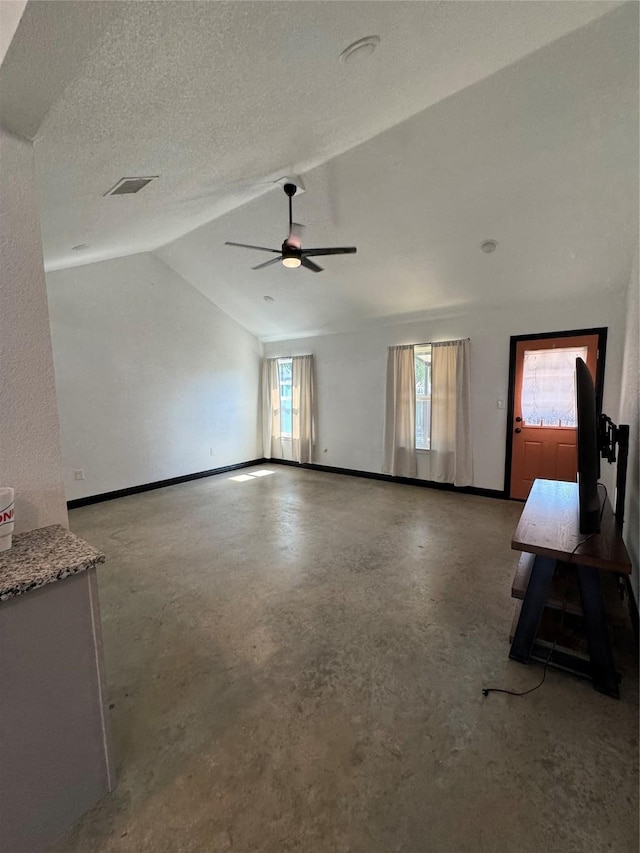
351 370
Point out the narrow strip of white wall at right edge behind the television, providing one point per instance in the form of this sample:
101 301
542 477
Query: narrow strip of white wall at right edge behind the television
629 401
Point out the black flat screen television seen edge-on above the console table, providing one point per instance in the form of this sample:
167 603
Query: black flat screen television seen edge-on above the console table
588 454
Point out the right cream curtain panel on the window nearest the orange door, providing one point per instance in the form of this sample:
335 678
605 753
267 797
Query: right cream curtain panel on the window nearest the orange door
450 457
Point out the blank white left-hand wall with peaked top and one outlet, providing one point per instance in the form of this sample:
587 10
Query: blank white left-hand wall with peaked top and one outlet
154 381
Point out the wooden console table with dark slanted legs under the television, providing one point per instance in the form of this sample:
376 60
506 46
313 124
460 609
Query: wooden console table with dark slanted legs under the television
548 534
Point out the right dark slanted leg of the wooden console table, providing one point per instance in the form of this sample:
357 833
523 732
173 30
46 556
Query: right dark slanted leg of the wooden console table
603 670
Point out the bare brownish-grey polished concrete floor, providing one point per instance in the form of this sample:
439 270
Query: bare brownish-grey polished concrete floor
295 663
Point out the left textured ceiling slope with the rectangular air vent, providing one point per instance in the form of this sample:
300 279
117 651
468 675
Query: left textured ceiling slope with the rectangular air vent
220 97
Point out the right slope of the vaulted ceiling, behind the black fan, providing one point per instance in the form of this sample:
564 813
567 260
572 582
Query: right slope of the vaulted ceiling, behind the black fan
542 157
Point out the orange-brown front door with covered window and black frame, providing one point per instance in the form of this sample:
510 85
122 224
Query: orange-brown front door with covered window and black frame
544 413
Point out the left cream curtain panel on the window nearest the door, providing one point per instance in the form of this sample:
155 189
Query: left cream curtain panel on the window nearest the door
400 414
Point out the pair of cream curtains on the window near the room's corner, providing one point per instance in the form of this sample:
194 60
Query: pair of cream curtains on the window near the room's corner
299 445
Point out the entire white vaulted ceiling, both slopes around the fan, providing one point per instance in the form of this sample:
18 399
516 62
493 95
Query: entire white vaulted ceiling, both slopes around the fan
516 121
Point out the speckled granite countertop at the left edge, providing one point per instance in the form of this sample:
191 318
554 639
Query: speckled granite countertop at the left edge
44 556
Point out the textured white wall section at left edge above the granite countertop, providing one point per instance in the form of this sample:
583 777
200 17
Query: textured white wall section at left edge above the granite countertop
30 452
